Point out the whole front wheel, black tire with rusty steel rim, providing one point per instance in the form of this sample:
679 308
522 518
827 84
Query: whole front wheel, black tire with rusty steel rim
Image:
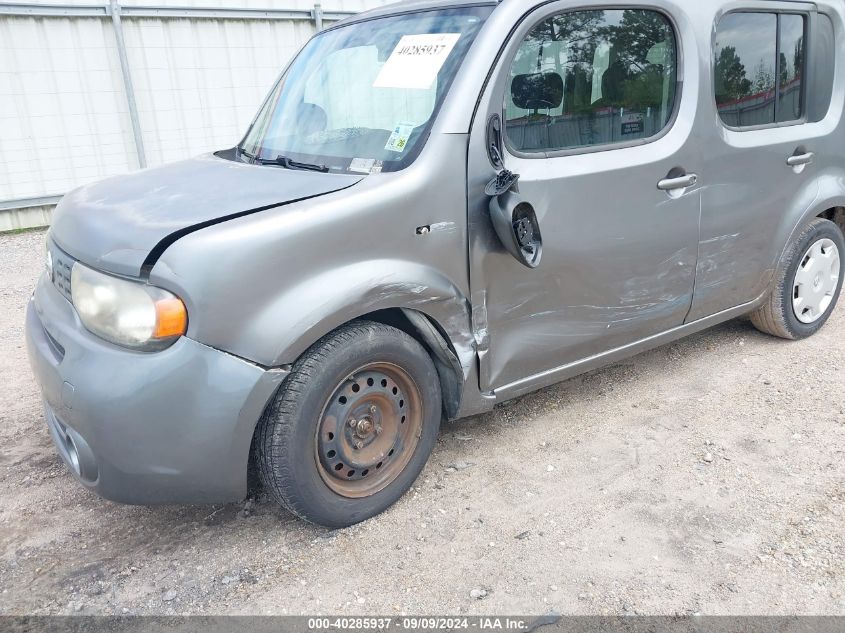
352 426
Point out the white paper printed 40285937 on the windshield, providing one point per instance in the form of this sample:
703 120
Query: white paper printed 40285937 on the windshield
416 60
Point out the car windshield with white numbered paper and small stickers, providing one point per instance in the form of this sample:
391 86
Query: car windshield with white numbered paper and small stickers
362 98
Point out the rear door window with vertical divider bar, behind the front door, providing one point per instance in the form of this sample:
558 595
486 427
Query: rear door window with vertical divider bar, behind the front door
759 68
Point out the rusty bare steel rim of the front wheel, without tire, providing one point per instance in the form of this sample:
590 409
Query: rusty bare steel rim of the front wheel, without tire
368 430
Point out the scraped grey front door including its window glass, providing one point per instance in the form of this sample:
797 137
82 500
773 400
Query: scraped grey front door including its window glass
599 130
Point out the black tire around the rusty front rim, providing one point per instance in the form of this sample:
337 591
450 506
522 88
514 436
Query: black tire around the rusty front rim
287 442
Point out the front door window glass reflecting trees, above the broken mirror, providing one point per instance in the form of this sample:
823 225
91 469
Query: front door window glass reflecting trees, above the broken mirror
588 78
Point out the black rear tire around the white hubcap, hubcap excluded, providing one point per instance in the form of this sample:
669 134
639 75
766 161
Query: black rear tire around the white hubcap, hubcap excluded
776 316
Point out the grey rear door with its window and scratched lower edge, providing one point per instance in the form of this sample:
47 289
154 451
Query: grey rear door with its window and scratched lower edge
759 154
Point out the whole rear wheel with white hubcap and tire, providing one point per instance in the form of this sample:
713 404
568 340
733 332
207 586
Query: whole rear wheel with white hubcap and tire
807 284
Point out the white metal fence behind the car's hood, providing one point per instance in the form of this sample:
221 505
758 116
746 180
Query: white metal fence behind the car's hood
89 91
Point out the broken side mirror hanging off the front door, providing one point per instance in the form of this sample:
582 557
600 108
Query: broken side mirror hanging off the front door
513 218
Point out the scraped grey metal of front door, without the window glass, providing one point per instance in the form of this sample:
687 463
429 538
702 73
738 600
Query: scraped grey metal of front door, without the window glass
619 253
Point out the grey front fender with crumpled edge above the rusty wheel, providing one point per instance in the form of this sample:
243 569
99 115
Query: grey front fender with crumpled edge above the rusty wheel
267 286
